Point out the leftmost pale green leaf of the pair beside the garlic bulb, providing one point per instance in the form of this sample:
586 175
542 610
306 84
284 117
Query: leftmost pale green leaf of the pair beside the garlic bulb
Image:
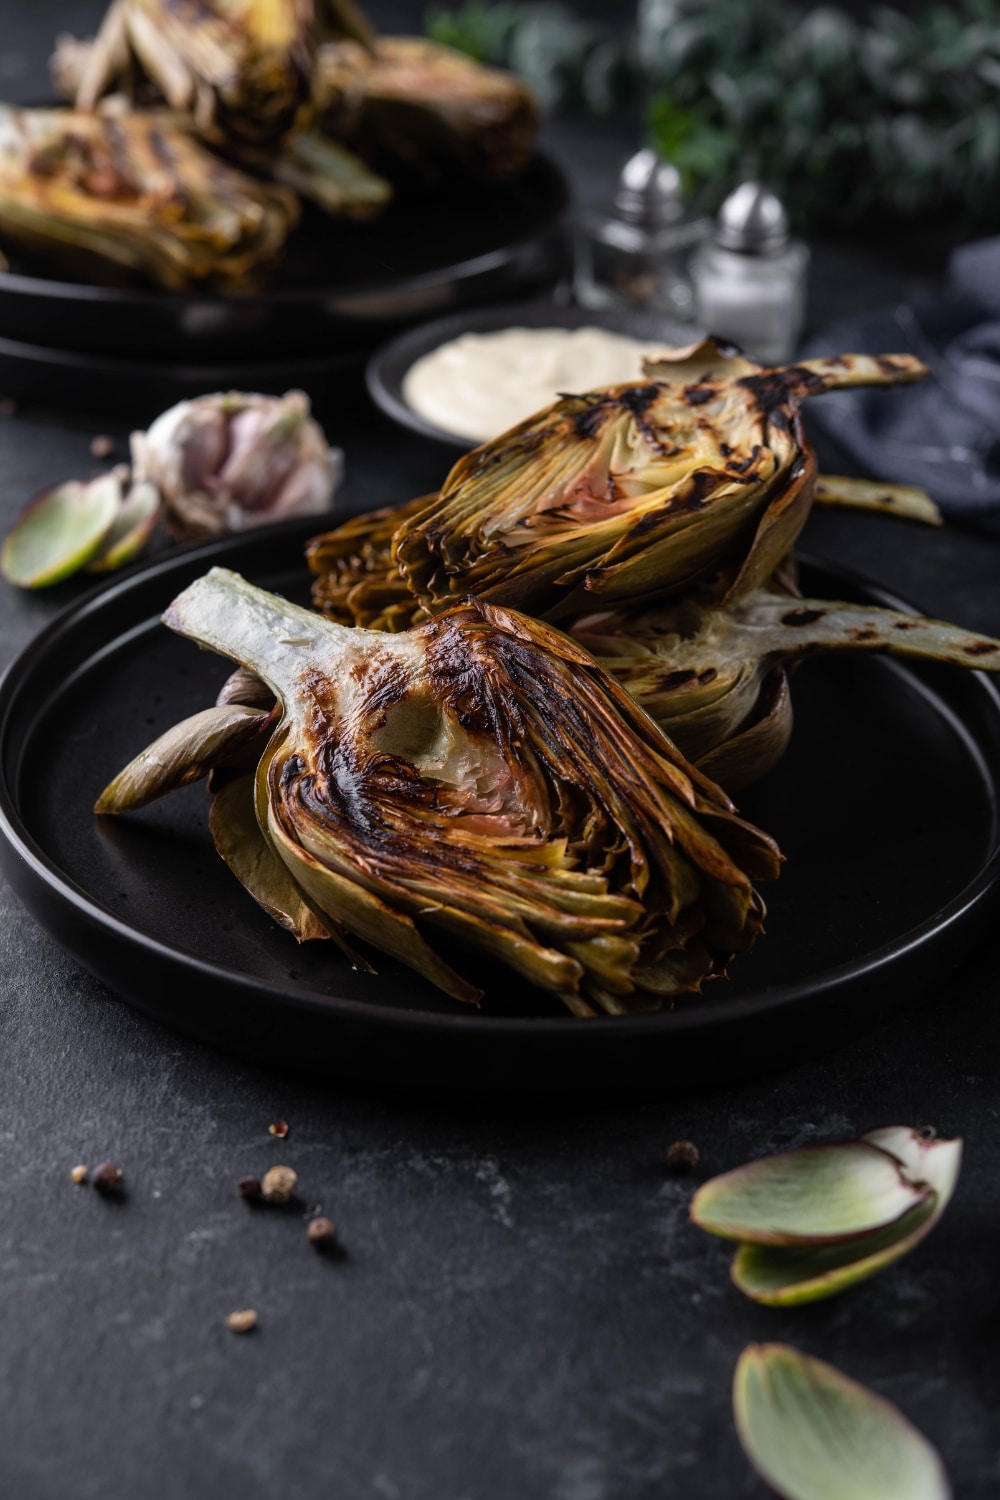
62 530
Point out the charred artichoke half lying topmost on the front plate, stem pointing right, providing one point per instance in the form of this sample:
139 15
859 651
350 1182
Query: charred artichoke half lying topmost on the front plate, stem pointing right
636 491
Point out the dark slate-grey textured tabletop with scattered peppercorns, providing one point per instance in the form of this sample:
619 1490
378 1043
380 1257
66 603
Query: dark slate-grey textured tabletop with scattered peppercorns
522 1312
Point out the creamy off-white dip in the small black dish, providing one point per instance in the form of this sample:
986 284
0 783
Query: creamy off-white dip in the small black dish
482 385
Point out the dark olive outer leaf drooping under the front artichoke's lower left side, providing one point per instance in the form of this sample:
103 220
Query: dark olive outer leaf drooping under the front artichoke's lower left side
242 845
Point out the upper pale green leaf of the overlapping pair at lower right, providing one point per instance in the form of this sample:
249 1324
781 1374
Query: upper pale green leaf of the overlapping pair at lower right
813 1196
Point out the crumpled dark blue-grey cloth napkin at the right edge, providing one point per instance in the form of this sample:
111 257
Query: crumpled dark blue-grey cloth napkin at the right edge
944 434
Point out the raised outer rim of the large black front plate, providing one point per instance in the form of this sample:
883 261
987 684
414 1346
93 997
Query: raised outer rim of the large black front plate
17 842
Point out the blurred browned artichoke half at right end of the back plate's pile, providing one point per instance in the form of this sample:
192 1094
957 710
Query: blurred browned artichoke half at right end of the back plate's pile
424 112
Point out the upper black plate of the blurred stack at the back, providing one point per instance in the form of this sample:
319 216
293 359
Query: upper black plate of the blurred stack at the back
343 287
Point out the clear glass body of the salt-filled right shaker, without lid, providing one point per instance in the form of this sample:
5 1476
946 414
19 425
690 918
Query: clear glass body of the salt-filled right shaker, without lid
758 301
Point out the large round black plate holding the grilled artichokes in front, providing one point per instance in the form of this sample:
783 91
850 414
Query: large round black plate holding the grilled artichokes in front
885 806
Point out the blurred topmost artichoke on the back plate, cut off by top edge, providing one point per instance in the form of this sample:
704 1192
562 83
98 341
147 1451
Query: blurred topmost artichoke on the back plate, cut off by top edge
242 70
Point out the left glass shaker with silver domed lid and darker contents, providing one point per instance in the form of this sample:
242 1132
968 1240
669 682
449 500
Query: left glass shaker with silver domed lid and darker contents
638 256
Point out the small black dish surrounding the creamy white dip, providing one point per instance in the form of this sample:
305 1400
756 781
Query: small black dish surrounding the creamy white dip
388 368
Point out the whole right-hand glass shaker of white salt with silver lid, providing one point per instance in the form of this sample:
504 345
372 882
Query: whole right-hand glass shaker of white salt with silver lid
750 277
